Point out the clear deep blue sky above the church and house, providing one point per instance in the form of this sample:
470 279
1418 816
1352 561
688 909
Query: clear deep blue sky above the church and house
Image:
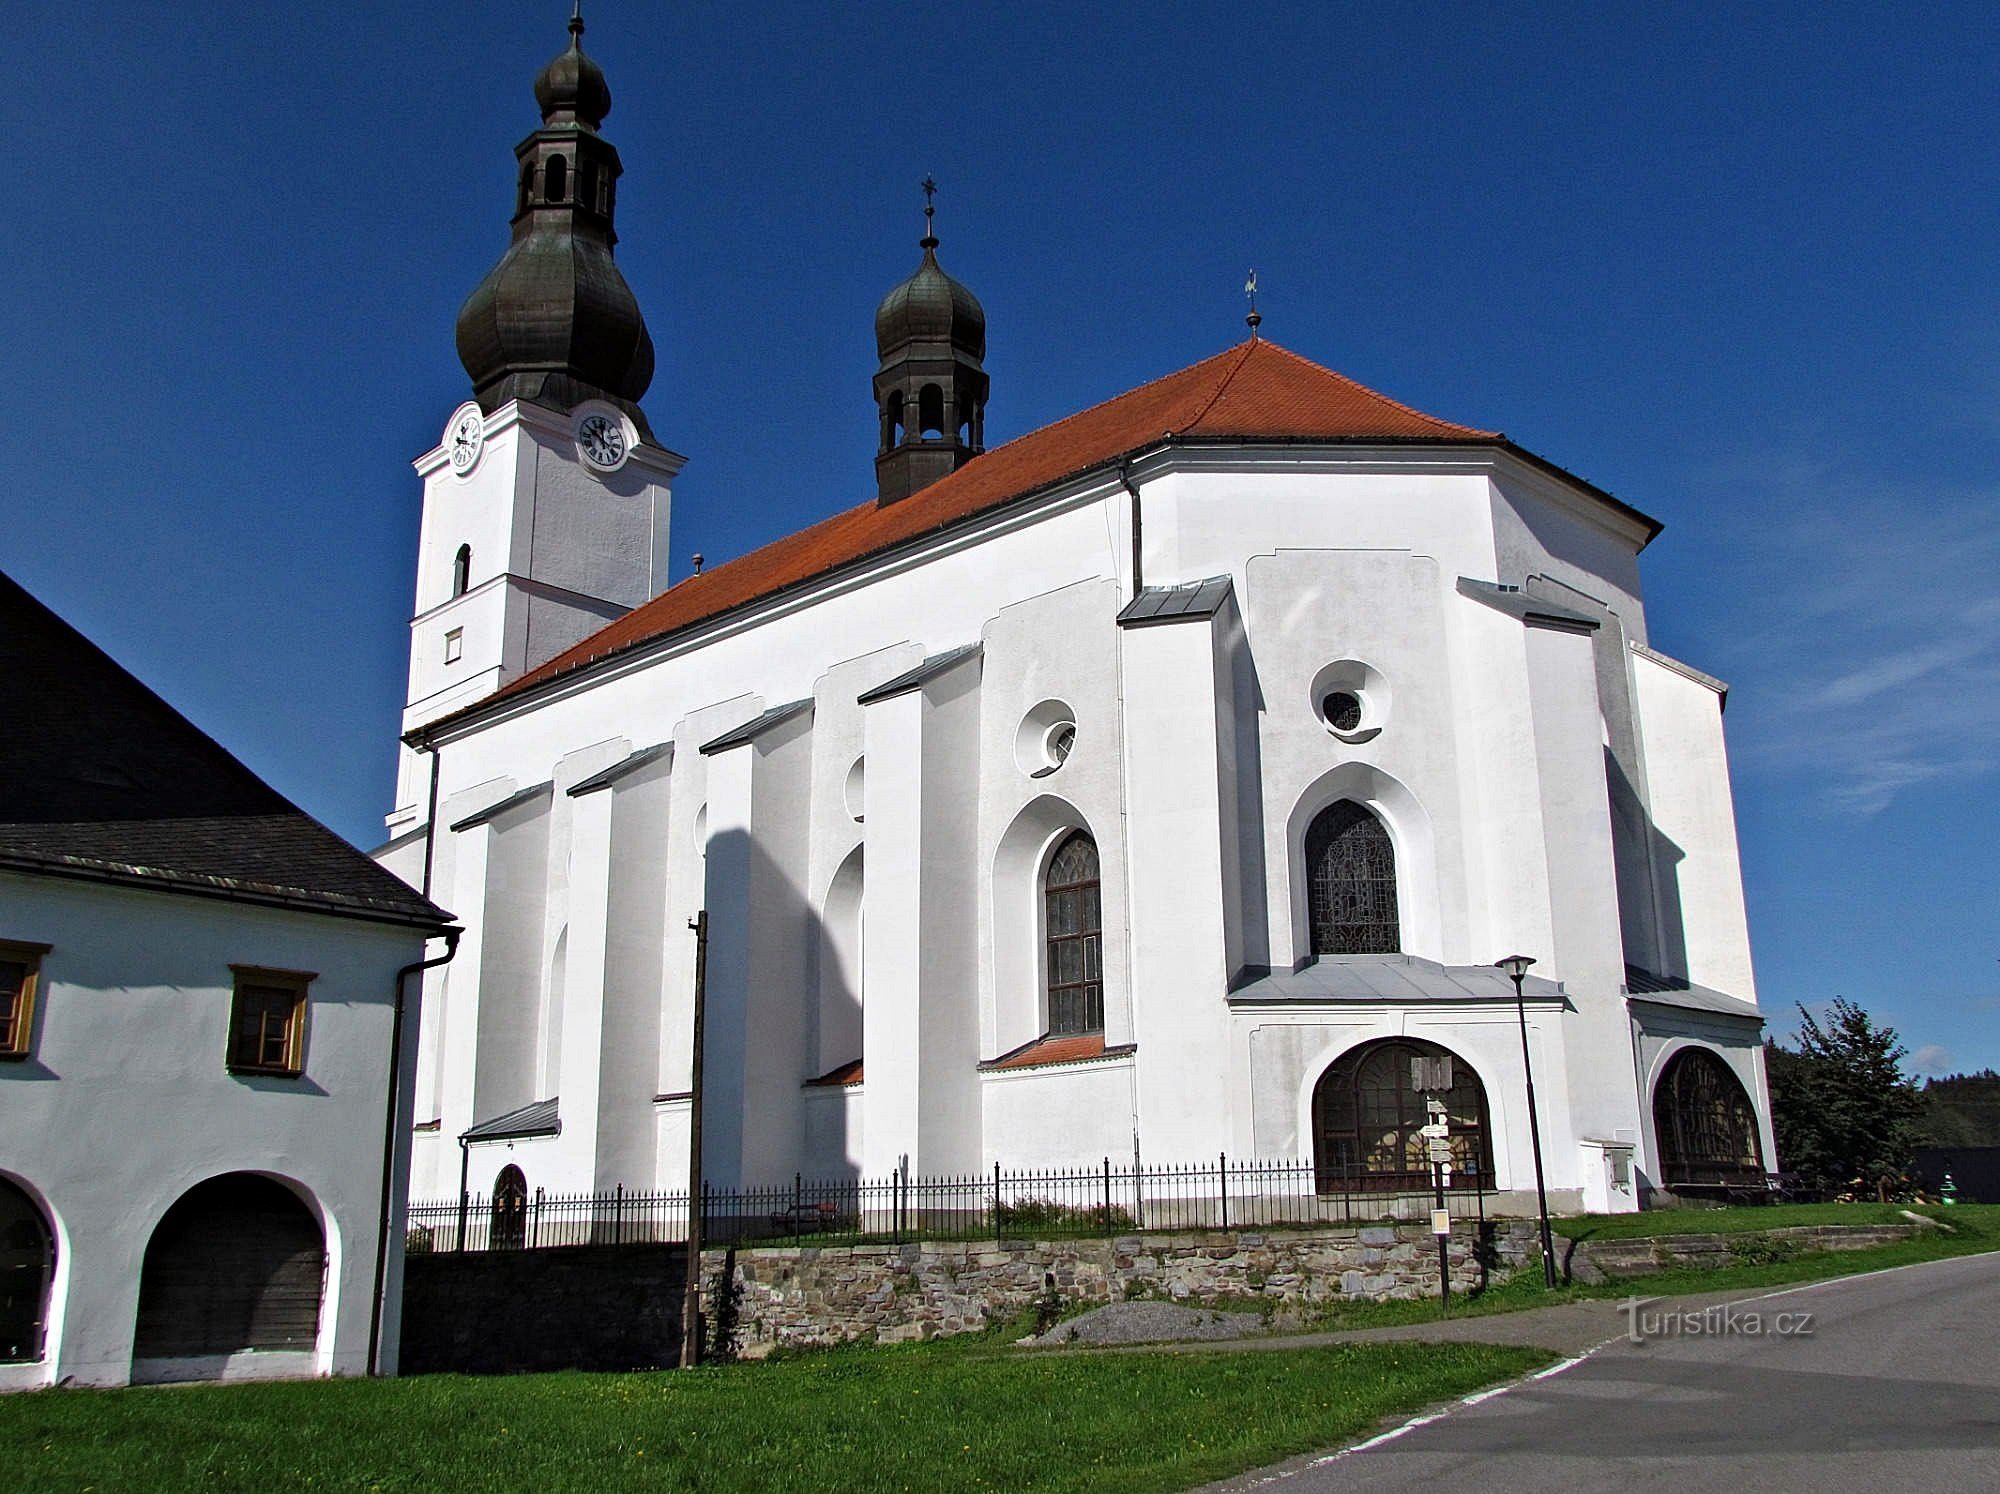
1741 267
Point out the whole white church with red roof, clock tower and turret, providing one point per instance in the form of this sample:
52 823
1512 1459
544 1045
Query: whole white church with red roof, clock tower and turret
1165 781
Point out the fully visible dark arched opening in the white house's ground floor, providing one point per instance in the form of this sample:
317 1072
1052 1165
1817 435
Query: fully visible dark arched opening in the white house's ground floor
239 1263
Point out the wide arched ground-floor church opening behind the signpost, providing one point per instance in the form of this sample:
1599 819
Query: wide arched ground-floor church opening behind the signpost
1369 1113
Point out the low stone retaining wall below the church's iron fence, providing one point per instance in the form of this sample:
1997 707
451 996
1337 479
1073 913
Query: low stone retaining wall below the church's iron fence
811 1295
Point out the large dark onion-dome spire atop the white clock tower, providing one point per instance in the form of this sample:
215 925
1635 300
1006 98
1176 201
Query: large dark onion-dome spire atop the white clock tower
555 323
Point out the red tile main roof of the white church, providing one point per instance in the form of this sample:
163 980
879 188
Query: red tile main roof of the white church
1255 391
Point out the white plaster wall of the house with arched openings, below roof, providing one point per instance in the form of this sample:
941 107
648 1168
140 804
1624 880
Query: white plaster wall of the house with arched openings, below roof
127 1103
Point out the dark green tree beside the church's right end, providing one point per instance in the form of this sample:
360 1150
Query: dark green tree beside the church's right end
1841 1103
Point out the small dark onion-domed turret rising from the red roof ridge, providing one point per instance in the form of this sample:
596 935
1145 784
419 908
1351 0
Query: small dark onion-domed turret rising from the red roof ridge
931 389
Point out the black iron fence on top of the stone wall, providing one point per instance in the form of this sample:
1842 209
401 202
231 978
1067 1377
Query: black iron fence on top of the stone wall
1001 1205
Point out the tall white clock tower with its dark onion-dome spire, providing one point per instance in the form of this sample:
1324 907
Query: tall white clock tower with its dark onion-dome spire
547 503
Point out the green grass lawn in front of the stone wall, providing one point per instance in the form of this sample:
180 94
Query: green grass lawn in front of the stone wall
899 1419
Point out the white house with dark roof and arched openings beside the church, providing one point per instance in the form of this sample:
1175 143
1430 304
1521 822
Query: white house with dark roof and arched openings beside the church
201 1169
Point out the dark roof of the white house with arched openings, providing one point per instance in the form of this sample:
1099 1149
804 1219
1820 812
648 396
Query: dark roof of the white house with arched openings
101 779
